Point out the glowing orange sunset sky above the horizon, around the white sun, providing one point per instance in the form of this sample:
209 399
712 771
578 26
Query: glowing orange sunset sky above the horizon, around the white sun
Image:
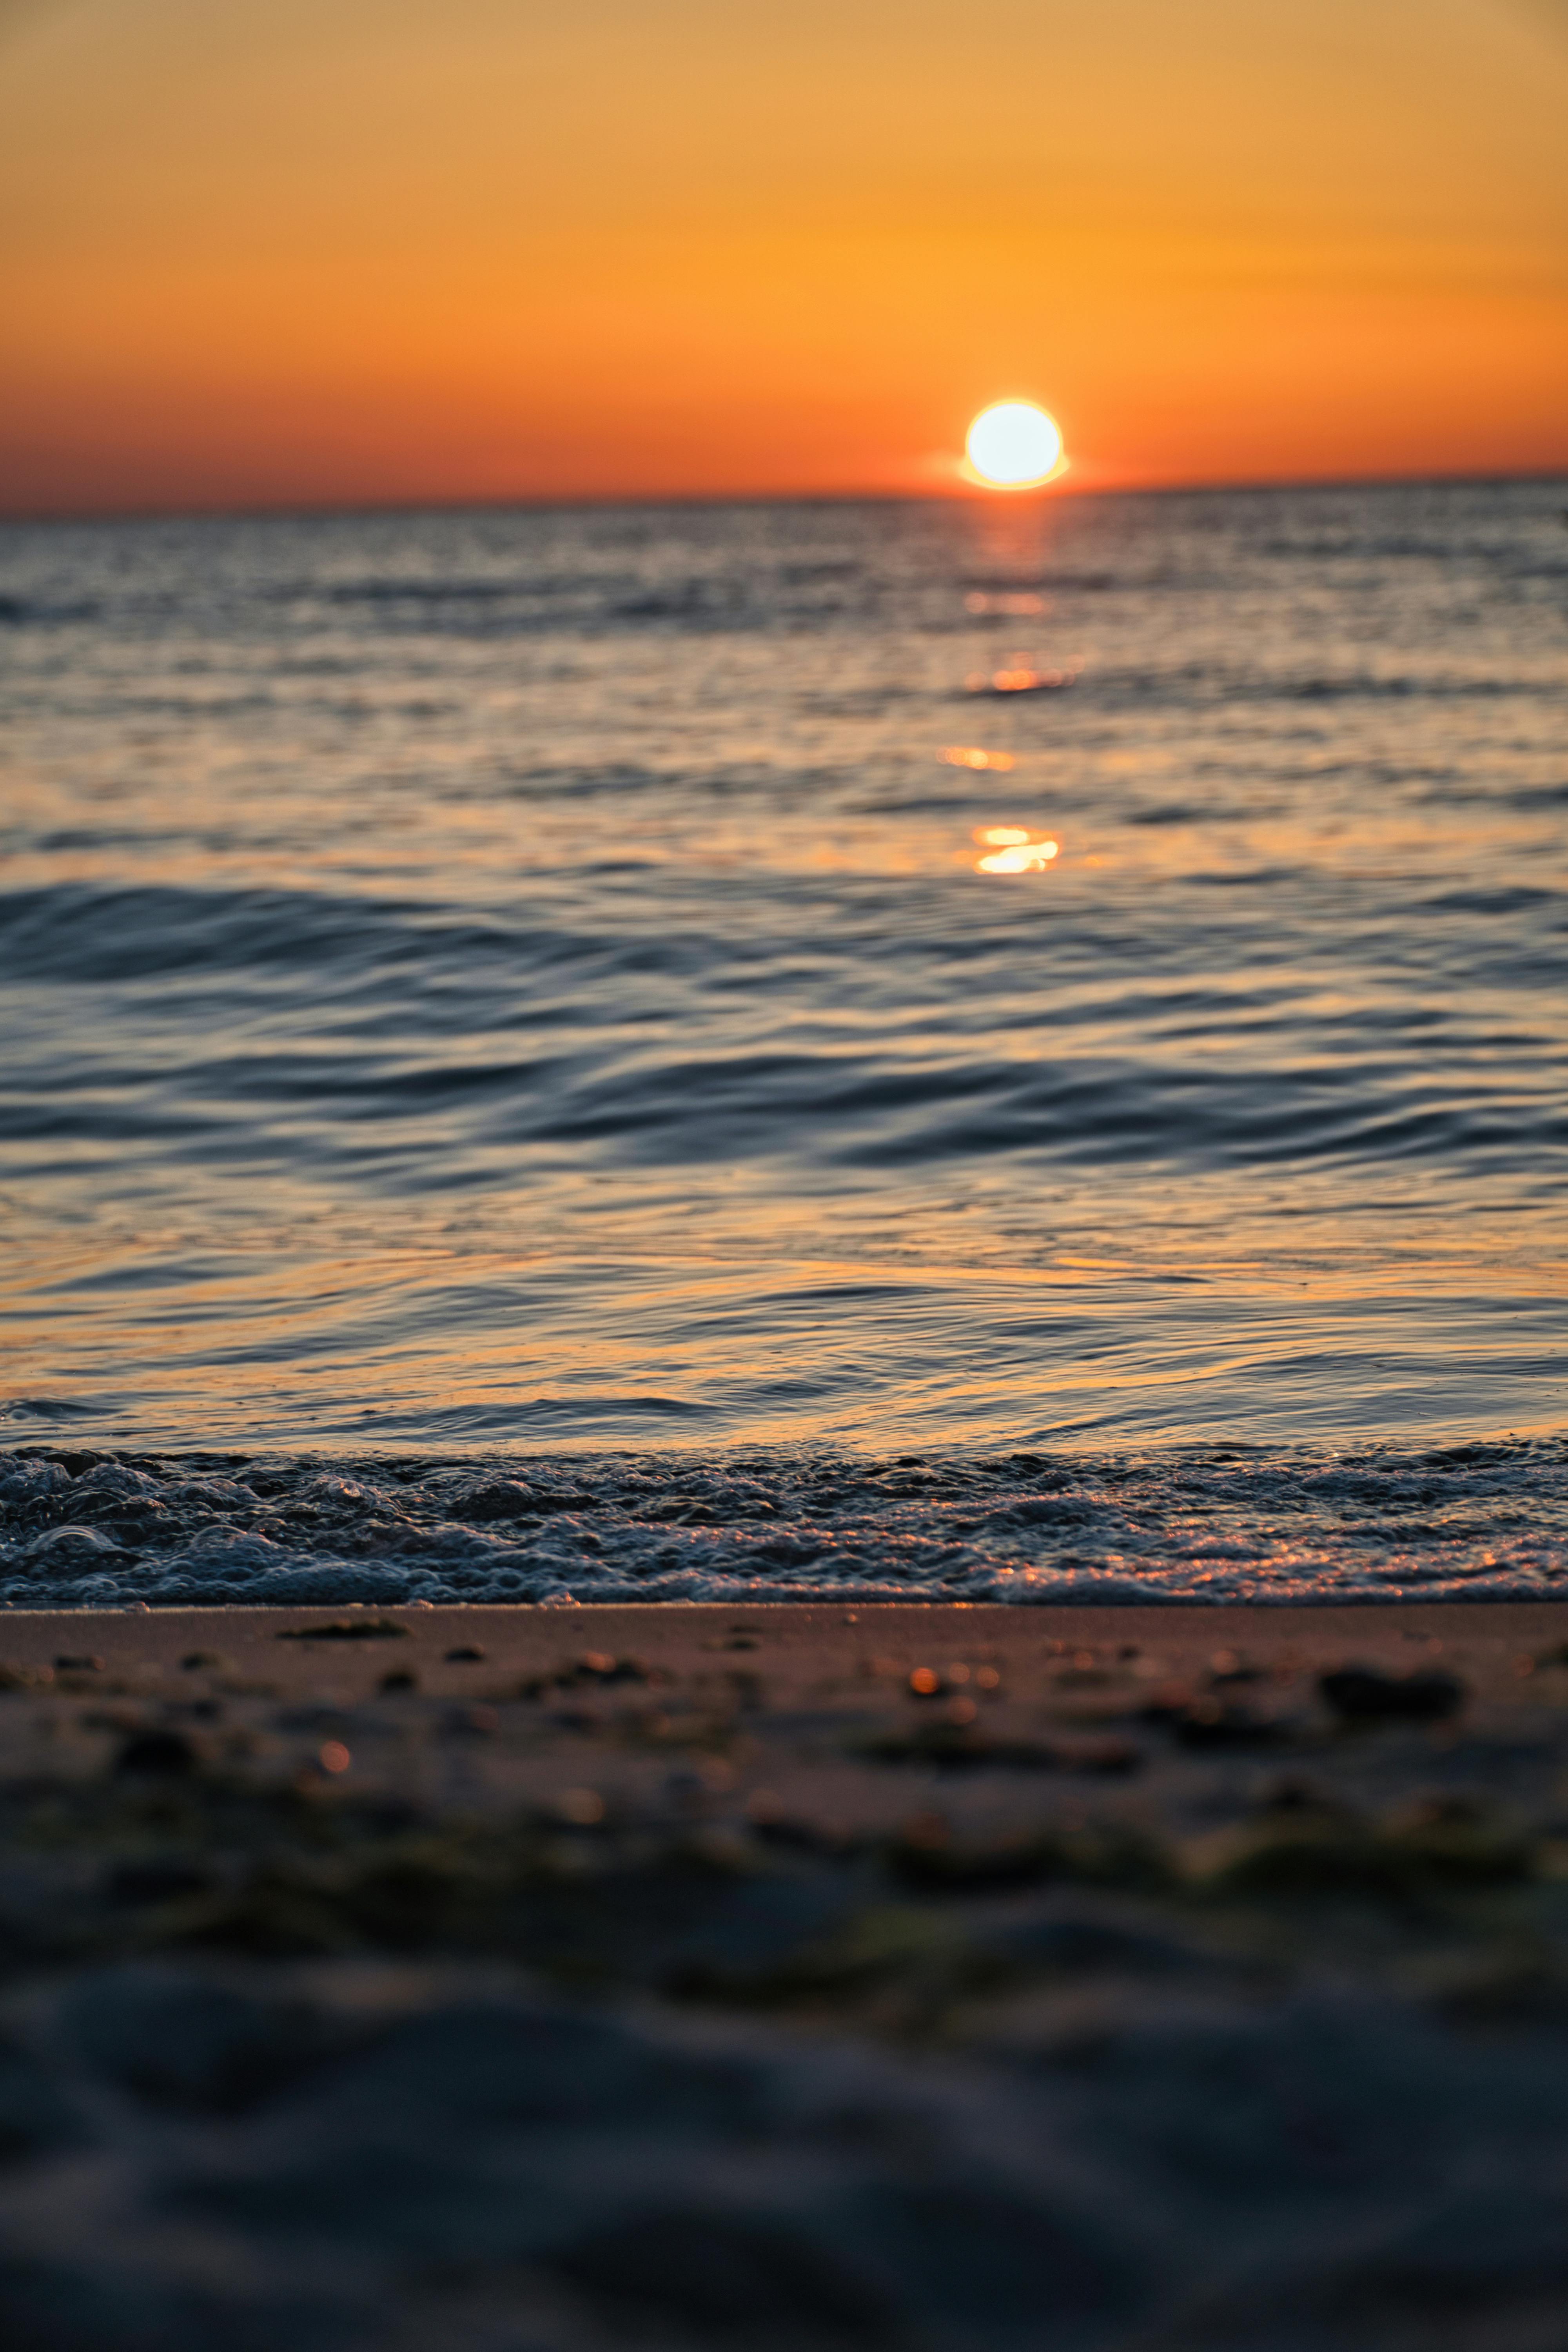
373 250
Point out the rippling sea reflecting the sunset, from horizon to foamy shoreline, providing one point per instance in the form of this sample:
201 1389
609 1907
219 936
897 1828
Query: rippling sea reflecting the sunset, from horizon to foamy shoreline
974 1048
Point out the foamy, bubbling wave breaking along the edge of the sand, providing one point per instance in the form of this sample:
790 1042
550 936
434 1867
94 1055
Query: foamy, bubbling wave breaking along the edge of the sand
1480 1521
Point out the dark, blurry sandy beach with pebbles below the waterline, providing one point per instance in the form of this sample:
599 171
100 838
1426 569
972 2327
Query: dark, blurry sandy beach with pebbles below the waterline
784 1977
